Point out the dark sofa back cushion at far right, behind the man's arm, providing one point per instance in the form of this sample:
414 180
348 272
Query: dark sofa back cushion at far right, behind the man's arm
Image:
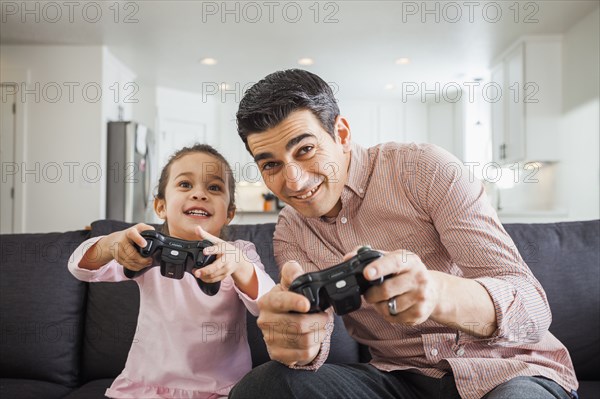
565 258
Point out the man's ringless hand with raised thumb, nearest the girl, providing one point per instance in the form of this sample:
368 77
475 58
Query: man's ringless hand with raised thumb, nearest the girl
291 338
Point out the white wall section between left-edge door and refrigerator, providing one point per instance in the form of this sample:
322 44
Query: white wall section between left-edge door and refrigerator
61 188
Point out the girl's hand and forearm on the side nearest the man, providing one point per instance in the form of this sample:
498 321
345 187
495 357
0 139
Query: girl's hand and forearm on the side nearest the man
230 261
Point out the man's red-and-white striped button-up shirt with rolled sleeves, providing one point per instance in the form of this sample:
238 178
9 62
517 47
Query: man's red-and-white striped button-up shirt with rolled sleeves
422 199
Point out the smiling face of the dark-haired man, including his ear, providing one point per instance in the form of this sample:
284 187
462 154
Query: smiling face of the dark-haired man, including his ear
302 164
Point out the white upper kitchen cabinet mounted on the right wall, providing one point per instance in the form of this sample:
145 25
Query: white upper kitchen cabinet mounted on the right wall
525 94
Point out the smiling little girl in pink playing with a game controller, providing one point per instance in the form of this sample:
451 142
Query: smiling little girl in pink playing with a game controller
187 344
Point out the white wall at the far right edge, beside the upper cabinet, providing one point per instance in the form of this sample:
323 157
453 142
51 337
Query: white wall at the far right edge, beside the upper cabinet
579 177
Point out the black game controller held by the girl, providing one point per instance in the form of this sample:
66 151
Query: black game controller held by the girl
175 257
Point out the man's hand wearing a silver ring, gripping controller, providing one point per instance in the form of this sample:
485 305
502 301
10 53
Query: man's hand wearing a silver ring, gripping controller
415 289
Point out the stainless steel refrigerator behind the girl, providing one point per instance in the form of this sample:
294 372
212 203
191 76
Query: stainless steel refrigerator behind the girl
131 164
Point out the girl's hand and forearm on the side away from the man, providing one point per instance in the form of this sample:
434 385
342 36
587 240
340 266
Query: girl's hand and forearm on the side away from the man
120 247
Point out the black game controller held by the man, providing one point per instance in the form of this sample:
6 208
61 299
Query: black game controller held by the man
340 285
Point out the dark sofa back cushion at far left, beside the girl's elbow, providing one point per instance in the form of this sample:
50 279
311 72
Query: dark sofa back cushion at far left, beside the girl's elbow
41 308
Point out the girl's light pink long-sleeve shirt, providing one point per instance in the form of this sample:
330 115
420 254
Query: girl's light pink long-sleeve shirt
187 344
